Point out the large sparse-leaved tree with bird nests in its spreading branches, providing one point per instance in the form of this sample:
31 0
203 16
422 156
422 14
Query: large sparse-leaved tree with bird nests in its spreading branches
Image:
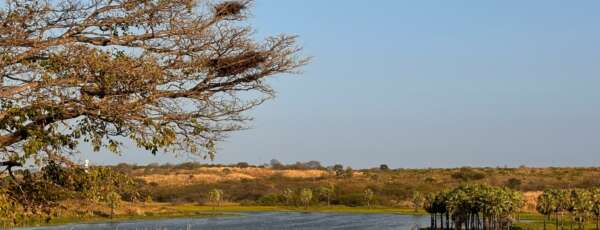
173 75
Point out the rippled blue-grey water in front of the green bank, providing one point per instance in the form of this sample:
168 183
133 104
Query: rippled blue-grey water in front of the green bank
271 221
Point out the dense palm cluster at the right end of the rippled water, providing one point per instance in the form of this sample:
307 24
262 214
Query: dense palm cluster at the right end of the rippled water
473 207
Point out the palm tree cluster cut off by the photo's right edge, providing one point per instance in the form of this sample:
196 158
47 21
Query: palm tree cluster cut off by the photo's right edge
580 205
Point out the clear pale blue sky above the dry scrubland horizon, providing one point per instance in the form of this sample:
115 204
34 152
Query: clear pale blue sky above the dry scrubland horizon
416 84
